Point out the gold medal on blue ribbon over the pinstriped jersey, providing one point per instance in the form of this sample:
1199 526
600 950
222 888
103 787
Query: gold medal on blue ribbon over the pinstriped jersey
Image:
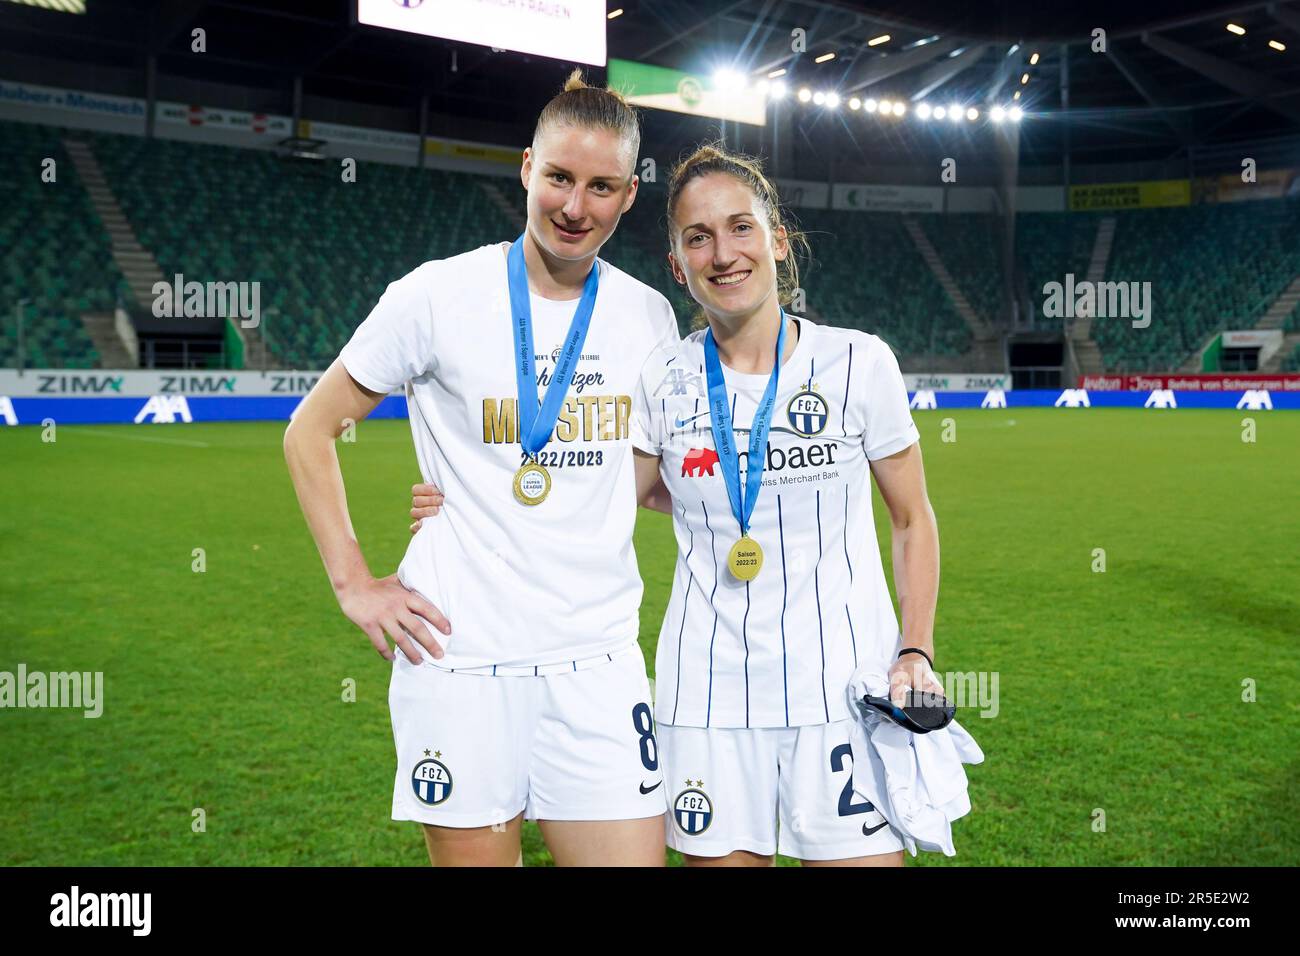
746 559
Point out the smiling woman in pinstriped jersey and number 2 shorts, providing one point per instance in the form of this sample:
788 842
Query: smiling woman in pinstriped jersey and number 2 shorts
801 418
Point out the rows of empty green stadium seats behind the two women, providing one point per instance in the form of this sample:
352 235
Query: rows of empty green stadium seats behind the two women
324 252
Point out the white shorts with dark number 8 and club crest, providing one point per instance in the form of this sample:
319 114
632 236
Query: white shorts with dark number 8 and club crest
476 750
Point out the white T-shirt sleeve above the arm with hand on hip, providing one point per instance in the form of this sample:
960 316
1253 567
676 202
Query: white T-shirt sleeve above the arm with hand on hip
395 344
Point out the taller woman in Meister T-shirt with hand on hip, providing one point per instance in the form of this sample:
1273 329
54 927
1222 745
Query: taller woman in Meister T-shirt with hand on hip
538 702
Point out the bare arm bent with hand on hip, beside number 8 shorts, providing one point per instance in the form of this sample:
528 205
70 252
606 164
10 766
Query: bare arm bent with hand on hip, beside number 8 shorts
378 607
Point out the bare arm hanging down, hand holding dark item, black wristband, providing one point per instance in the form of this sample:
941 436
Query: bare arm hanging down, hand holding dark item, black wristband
902 479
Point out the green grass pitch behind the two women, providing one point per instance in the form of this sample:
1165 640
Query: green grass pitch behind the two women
1120 691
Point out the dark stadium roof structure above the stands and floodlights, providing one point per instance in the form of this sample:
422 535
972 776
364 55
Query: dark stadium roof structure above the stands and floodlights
1173 77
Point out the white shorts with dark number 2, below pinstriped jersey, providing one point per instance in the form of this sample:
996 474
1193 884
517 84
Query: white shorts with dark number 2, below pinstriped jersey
731 788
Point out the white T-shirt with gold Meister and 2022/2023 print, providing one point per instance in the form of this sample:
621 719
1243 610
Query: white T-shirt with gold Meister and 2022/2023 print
522 586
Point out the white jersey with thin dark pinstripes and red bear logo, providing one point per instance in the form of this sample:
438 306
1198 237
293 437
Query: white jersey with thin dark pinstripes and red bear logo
779 651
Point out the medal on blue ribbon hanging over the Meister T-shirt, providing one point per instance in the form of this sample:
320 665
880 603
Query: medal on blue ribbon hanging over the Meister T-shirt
532 481
